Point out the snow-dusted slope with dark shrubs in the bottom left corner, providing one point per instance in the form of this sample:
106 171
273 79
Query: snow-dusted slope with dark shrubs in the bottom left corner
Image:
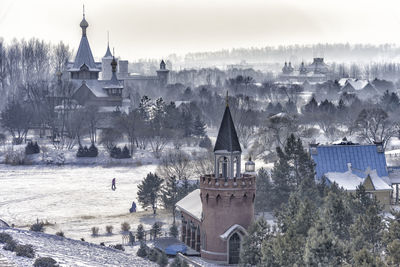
68 252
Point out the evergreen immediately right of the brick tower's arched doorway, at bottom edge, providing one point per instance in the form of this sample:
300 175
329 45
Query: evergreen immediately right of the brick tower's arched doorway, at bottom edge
250 254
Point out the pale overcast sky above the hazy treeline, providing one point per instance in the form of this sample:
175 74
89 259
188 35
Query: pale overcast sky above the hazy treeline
157 28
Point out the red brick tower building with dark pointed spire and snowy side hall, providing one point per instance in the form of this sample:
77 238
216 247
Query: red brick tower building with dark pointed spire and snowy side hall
215 217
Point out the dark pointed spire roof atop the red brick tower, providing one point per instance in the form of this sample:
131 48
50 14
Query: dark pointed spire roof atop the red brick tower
227 139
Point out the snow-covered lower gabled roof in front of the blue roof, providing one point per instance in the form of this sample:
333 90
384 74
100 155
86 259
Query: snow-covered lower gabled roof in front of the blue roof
350 180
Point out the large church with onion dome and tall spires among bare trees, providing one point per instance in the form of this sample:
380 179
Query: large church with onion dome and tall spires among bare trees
107 85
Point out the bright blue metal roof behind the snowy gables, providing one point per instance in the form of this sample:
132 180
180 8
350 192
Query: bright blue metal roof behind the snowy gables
336 157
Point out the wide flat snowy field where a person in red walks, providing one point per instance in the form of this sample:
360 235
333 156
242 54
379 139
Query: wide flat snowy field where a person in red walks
74 199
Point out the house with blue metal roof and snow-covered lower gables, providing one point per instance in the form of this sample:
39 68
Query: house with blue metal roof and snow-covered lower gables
349 165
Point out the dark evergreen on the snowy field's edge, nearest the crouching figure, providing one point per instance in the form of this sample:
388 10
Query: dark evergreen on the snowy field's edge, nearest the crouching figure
149 191
